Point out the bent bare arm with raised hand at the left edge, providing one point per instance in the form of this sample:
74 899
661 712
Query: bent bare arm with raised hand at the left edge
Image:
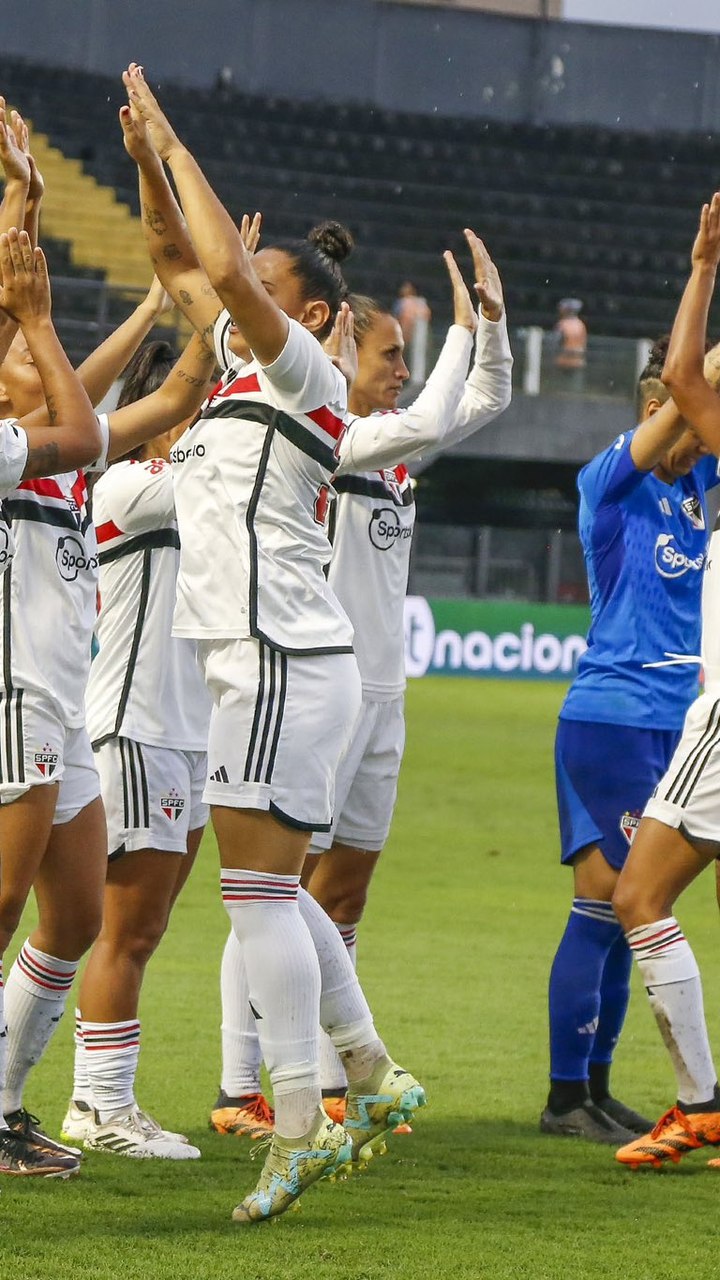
74 437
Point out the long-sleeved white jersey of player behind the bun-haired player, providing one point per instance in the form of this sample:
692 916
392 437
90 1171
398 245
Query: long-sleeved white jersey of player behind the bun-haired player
375 514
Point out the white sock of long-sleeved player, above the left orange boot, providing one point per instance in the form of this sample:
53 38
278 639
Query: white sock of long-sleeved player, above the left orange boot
241 1046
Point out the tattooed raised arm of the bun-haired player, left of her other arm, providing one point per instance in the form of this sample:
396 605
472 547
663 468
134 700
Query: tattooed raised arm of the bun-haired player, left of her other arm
166 231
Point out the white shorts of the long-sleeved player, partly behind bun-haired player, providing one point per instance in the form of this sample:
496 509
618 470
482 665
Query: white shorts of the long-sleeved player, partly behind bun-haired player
367 780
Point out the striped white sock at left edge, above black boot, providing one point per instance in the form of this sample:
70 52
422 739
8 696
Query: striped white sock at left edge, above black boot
35 1000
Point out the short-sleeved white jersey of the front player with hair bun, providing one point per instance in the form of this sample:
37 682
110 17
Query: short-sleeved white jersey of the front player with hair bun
253 478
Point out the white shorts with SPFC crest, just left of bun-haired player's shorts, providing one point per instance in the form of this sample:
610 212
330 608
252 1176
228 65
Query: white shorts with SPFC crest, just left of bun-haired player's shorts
153 796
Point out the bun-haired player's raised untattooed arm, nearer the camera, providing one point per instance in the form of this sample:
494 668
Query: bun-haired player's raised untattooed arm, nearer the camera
216 237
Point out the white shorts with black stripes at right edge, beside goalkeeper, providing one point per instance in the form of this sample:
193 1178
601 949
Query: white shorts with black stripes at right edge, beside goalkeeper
689 796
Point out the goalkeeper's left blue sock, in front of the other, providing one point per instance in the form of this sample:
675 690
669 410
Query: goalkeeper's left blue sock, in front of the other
575 996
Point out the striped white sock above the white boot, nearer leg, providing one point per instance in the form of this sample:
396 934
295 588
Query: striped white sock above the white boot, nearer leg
111 1054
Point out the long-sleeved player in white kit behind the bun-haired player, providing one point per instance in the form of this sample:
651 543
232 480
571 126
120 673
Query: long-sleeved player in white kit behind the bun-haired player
375 516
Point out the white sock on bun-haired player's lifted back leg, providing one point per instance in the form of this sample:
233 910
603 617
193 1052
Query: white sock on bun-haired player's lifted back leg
345 1014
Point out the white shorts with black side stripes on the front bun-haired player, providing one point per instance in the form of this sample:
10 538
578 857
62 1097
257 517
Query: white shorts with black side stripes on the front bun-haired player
279 728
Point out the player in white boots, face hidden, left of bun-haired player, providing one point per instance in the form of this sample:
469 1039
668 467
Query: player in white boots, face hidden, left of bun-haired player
148 716
